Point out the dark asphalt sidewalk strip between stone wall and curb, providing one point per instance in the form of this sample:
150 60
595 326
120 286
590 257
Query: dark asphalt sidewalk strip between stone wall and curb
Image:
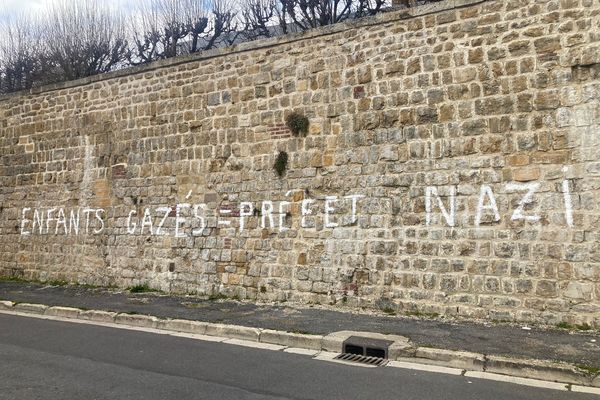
578 348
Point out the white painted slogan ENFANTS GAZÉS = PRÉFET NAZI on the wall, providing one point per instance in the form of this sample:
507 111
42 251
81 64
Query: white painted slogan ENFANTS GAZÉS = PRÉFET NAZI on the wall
191 218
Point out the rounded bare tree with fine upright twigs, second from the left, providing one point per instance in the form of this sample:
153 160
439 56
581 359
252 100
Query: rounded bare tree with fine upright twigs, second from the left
84 38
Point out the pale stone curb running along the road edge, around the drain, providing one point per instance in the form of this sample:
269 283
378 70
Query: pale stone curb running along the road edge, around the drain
400 351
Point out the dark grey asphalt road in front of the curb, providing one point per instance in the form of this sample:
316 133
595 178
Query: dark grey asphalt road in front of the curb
41 359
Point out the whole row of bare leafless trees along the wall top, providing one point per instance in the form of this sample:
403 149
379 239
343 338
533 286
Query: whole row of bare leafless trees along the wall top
79 38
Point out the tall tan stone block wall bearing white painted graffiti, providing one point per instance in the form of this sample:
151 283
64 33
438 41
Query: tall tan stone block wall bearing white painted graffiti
452 166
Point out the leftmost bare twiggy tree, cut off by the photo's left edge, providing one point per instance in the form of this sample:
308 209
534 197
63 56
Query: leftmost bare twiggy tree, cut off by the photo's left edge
21 54
